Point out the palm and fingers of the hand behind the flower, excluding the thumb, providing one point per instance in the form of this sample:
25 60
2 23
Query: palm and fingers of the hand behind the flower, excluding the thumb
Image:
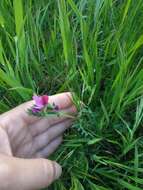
27 136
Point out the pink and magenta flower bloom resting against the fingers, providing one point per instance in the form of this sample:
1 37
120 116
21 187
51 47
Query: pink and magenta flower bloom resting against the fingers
40 103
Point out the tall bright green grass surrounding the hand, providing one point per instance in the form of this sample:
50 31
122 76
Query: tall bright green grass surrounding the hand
93 48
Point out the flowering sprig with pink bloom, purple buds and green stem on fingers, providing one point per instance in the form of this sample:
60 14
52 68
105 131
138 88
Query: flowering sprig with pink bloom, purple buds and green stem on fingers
42 107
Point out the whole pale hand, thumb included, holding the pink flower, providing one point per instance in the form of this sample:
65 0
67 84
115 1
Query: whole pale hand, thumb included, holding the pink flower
25 142
